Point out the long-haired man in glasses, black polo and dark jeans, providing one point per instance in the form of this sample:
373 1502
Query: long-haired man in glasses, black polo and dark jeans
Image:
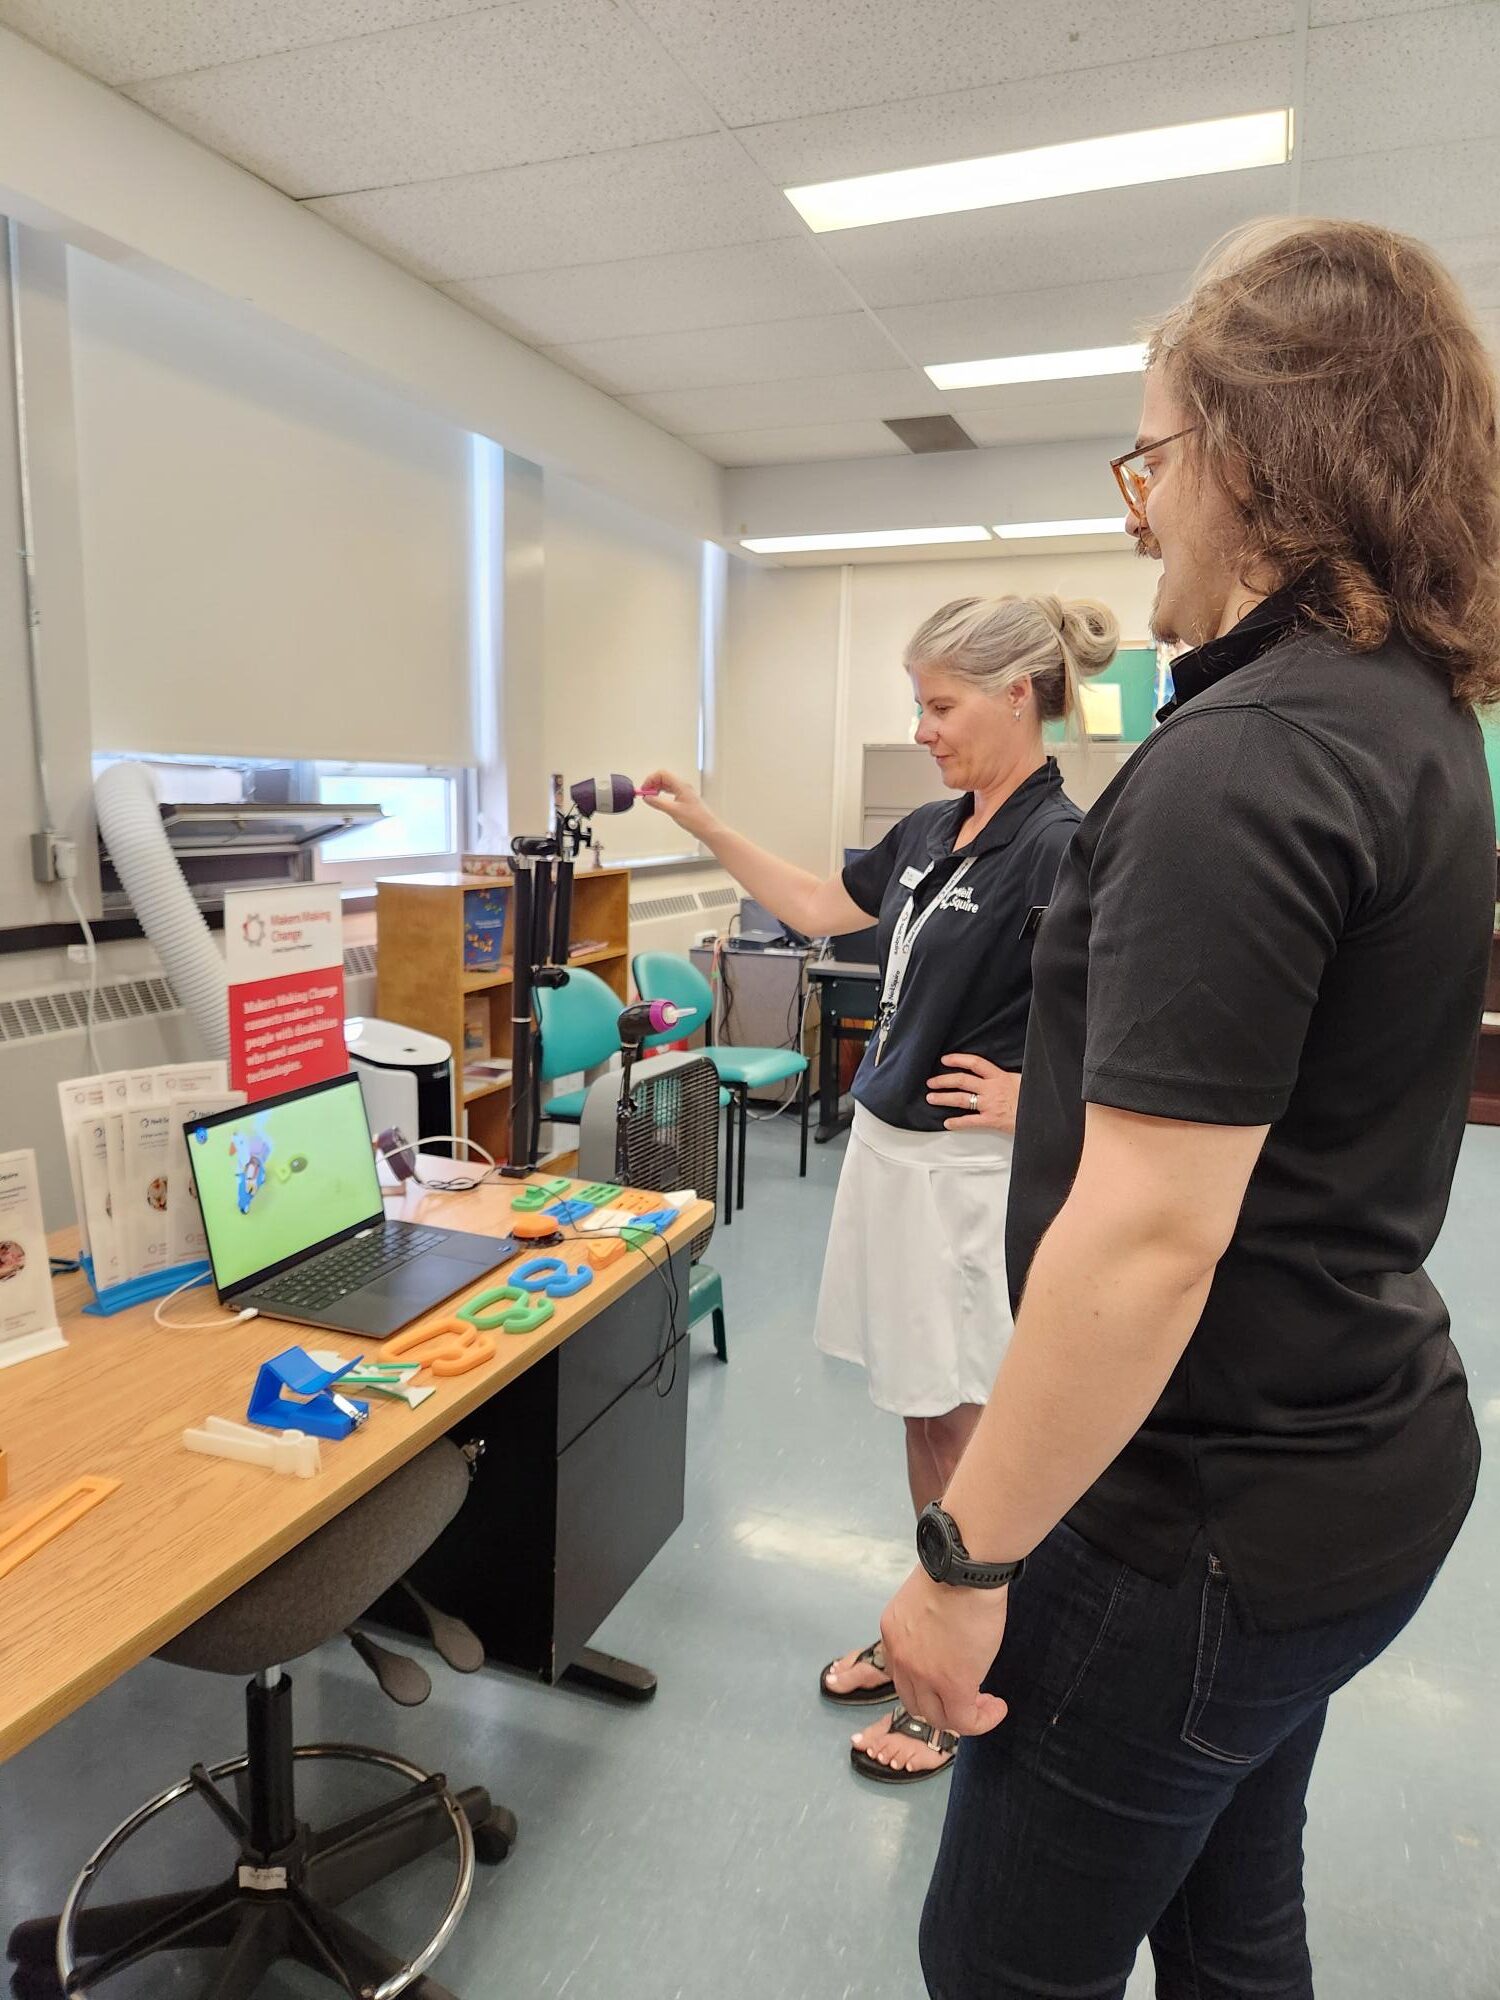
1231 1437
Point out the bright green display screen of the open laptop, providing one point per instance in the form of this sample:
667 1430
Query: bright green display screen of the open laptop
283 1177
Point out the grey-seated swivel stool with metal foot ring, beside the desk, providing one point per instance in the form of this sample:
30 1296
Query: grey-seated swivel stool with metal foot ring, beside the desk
281 1897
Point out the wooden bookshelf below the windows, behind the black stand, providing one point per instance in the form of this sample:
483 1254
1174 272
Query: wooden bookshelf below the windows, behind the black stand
421 977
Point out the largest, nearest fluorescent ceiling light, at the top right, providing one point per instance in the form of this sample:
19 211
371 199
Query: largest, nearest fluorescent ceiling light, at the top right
1123 161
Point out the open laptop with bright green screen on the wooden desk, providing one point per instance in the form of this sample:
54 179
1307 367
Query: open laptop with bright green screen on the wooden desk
297 1225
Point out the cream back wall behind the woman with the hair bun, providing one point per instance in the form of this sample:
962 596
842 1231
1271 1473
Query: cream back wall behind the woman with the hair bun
799 707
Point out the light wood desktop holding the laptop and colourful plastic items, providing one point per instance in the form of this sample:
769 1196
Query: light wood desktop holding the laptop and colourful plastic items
185 1531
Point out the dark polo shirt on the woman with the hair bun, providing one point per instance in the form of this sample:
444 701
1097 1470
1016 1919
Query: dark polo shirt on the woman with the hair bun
969 983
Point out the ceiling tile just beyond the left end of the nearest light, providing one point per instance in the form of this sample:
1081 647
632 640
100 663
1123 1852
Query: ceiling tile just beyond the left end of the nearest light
653 295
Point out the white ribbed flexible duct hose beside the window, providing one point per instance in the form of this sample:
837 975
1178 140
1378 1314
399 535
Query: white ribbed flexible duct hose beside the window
159 893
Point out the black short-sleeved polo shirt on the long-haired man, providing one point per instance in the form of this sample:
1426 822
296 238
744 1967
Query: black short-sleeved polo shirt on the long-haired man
1281 913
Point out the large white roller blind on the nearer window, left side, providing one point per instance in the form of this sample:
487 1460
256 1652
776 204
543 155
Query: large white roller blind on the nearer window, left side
275 551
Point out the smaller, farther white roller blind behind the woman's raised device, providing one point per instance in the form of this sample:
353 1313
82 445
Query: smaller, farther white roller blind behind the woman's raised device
623 603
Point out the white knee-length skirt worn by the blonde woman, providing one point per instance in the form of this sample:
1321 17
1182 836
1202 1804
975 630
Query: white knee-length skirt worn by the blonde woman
915 1279
